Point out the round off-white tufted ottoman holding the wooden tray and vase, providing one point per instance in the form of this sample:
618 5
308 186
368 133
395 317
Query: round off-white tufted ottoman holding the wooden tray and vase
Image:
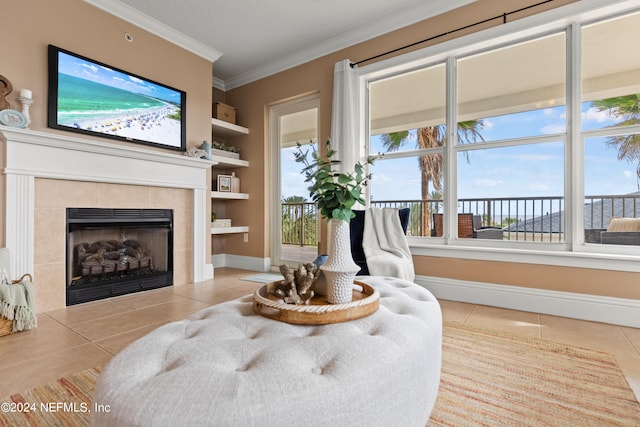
228 366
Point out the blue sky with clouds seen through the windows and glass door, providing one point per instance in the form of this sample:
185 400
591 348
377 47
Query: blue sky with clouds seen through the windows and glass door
530 170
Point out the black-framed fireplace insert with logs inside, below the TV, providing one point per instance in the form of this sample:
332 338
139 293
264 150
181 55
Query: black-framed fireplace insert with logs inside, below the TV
113 252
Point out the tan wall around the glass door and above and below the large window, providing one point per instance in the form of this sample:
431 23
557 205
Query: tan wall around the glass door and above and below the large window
253 100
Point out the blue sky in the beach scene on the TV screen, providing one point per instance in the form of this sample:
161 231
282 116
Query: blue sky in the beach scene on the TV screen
92 71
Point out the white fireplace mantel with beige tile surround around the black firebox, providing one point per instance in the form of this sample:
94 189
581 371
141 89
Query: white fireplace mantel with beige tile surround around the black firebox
44 173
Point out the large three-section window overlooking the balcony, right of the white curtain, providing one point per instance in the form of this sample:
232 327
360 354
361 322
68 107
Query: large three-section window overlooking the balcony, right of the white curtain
525 138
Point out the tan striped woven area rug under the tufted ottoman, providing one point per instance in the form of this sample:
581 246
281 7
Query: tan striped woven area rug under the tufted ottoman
489 378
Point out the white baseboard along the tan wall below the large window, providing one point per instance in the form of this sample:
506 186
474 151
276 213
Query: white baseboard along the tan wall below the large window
617 311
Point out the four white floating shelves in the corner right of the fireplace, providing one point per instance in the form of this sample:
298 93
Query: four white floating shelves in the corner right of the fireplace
224 129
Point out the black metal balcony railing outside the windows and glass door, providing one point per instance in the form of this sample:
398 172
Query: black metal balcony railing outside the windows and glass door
533 219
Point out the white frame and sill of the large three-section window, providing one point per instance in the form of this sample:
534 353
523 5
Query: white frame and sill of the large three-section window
573 251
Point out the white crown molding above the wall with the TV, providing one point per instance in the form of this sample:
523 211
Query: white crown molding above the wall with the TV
139 19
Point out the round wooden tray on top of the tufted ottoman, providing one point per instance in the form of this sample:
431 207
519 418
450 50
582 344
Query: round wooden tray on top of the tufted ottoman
366 300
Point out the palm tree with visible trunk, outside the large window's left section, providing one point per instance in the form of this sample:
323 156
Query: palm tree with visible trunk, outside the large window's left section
431 165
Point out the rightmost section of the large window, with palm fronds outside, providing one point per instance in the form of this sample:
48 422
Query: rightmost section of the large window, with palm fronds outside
610 116
